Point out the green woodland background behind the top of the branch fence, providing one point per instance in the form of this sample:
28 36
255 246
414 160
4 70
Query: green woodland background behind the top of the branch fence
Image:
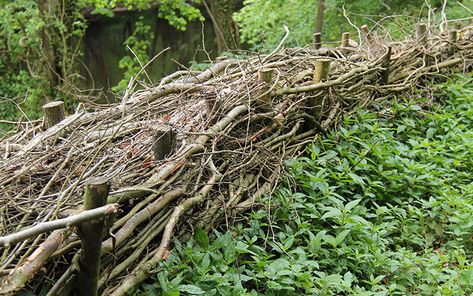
42 41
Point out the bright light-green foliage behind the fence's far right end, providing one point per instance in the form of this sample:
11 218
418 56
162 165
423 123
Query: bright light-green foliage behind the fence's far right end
262 21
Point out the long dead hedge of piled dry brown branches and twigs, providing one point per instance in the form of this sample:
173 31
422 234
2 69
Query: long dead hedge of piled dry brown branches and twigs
235 123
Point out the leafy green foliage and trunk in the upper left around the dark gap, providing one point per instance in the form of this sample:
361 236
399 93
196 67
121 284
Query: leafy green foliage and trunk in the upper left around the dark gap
25 34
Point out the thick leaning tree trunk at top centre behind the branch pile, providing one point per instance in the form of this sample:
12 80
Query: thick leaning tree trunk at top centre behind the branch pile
221 13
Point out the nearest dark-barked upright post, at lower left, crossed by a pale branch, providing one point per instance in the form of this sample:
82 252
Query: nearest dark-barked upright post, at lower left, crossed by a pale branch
90 233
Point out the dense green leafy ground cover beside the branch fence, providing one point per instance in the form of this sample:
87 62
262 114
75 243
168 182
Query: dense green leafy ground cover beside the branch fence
383 206
